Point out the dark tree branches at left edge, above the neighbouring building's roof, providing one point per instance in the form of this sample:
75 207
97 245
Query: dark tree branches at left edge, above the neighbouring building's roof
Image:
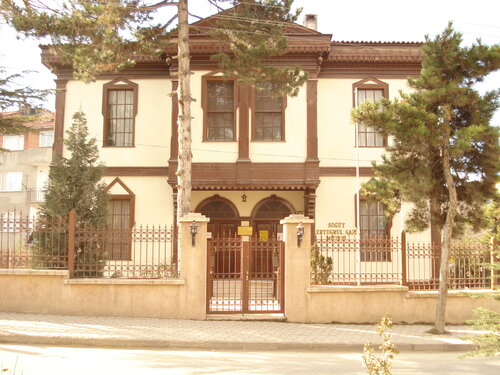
13 97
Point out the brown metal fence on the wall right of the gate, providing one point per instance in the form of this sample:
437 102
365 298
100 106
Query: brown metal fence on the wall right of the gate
394 261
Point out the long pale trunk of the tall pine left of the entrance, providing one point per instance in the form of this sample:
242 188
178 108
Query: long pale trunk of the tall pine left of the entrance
184 124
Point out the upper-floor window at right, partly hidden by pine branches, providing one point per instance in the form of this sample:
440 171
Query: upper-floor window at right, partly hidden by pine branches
369 90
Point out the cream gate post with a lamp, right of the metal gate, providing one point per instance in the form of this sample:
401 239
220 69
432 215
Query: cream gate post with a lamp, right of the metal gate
297 266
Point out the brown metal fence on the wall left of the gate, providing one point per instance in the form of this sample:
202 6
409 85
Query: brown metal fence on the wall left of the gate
141 252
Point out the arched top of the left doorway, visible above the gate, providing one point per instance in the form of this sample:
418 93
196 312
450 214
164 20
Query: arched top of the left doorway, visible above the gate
223 214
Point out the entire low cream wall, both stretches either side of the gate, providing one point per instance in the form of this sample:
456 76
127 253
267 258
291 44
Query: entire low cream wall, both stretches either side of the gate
51 292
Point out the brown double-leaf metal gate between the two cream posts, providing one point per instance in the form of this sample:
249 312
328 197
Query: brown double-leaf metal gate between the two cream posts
245 276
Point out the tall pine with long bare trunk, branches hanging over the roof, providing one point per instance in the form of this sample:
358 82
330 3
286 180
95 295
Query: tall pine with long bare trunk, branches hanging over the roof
101 36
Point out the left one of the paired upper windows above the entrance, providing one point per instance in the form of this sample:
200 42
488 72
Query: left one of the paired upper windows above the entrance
219 105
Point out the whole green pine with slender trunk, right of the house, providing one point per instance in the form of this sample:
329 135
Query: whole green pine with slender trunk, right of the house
444 155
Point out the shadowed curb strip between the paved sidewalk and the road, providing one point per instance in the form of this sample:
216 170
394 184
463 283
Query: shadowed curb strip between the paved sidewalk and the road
219 345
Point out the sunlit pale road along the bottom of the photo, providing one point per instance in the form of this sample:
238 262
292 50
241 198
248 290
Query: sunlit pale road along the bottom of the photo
41 360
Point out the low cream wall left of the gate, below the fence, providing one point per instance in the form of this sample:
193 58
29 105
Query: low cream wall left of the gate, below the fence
51 292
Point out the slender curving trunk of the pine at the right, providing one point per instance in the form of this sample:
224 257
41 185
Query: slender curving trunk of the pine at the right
448 226
